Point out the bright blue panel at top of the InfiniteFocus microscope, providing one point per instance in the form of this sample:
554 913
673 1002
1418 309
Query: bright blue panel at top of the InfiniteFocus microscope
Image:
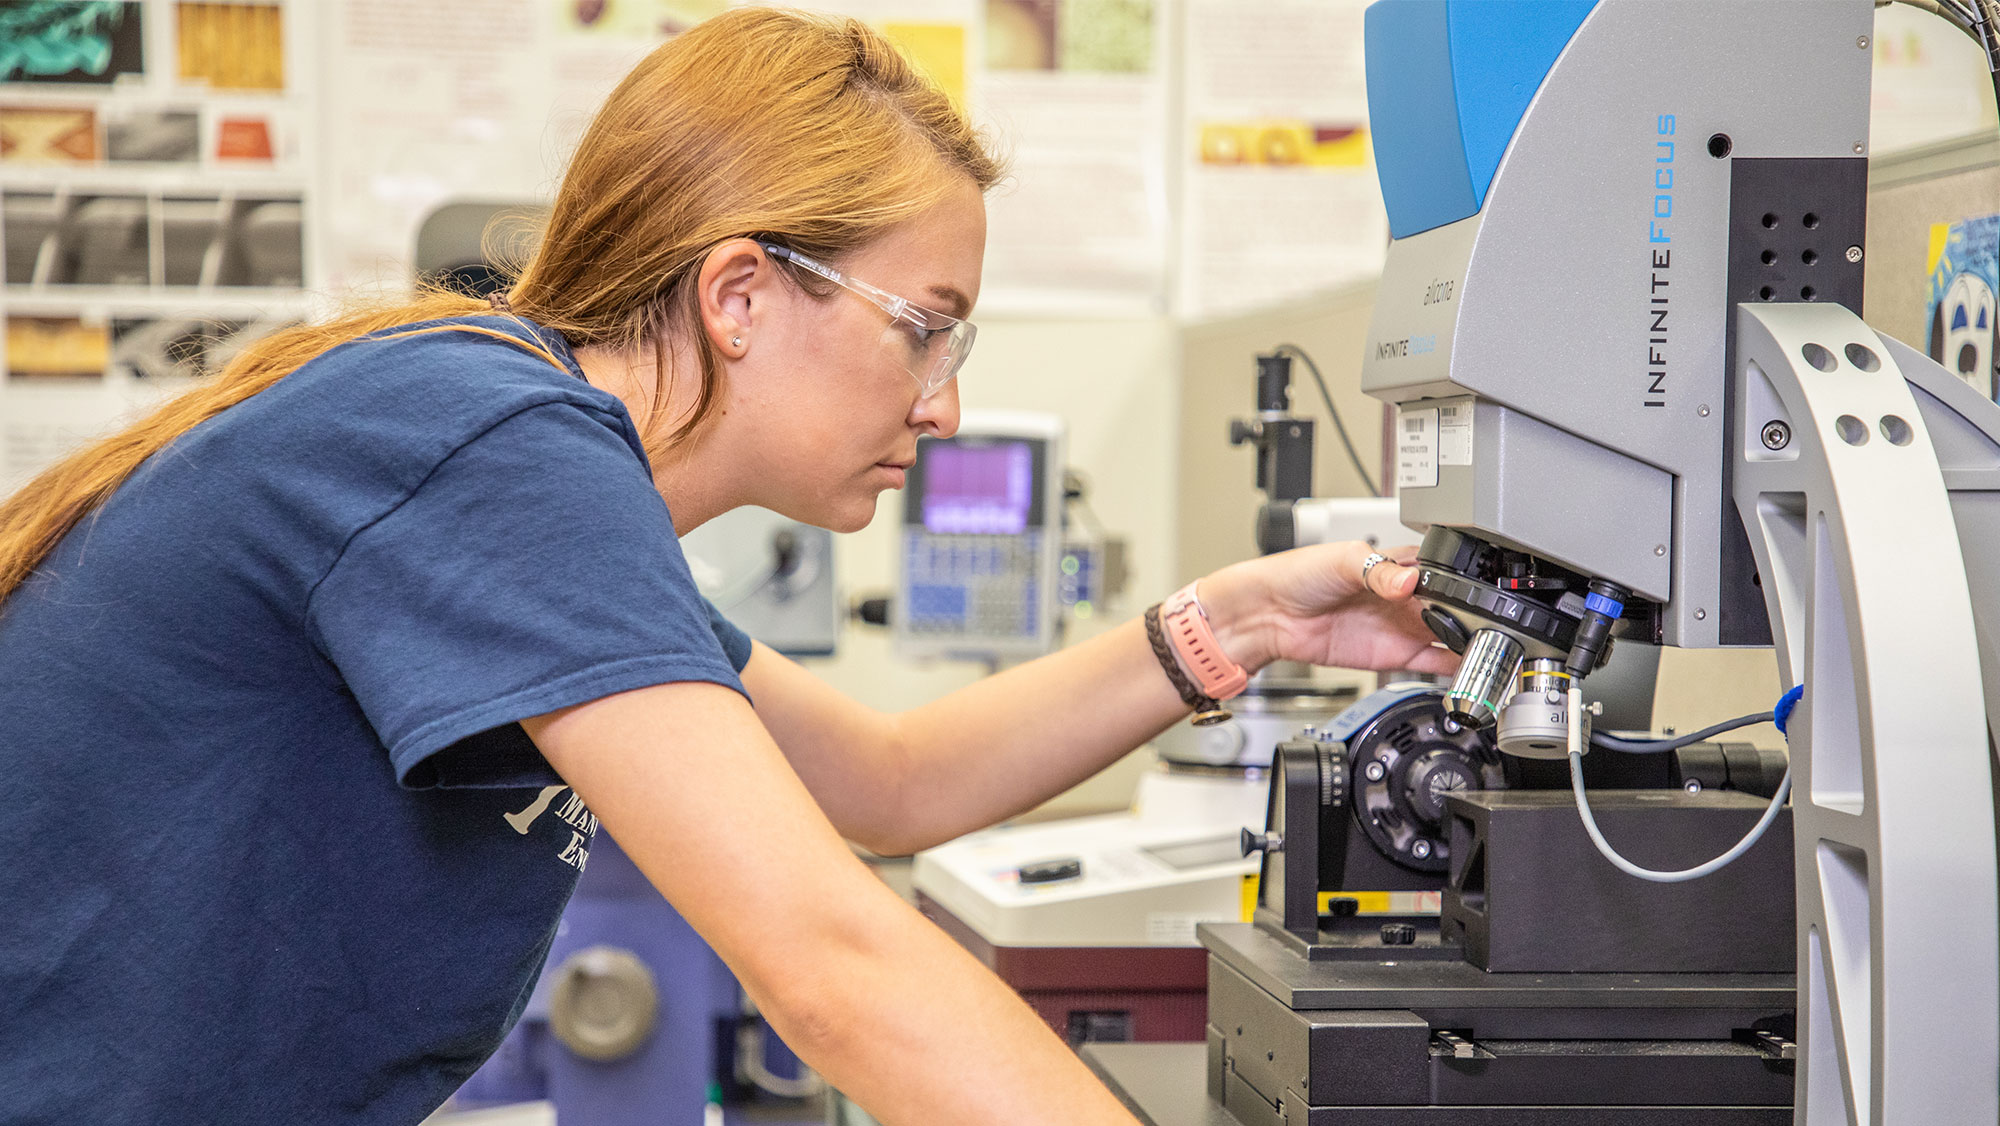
1449 83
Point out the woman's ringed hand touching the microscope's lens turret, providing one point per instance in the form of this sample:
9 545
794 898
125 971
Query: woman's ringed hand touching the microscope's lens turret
1313 605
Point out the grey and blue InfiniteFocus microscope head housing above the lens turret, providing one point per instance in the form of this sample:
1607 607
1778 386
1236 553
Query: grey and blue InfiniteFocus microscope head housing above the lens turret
1555 319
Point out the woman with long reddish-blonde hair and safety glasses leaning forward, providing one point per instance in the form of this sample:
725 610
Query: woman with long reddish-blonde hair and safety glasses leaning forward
317 683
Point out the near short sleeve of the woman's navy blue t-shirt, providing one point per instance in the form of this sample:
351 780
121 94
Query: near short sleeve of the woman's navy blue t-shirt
535 569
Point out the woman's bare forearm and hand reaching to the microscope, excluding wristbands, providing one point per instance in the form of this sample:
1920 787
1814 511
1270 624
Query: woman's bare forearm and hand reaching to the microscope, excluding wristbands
1003 745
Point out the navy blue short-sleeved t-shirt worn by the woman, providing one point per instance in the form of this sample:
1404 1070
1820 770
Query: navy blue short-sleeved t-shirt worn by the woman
273 843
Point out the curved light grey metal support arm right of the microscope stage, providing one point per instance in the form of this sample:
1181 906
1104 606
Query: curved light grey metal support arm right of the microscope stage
1863 573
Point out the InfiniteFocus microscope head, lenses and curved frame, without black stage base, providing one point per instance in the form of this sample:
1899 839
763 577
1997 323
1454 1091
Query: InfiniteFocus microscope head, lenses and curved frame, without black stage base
1635 397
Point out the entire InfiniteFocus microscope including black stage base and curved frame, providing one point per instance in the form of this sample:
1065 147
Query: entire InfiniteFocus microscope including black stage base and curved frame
1637 405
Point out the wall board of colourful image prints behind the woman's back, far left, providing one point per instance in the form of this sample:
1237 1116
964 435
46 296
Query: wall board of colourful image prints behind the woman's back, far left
157 205
